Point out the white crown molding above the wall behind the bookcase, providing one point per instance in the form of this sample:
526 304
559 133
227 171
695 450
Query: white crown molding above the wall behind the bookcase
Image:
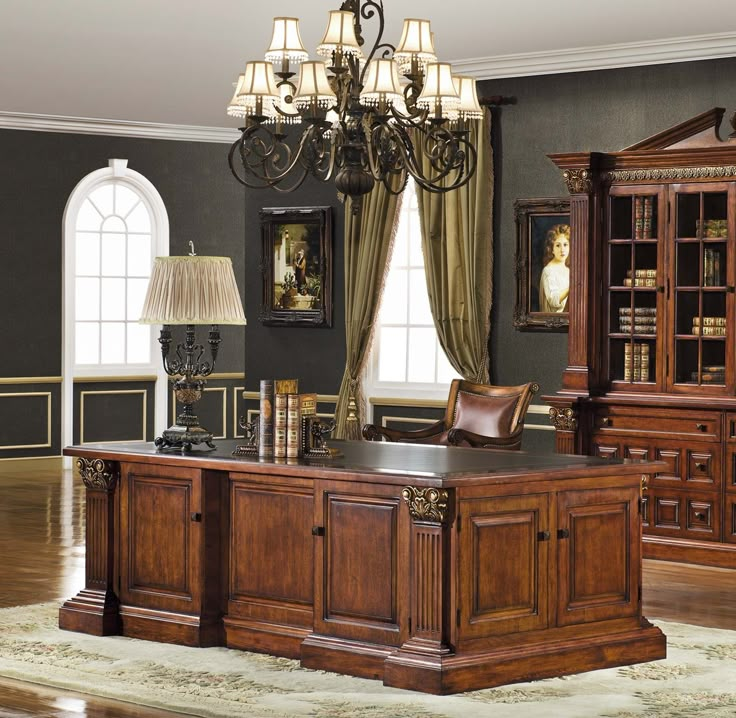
579 59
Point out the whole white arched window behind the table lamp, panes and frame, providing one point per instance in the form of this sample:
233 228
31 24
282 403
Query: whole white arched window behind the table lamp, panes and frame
115 223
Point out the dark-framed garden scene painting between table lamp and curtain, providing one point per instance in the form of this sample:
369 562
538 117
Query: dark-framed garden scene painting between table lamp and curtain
297 266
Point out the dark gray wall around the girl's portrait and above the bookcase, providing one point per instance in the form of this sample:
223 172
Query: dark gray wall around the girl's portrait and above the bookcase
598 111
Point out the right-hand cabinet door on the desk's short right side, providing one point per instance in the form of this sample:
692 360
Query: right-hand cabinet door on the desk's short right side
599 553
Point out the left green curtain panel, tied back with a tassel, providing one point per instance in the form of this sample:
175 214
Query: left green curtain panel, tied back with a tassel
368 238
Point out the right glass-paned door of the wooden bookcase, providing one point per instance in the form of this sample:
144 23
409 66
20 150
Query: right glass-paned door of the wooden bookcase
701 287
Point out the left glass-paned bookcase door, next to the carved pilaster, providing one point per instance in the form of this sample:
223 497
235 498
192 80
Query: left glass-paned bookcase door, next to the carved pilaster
635 235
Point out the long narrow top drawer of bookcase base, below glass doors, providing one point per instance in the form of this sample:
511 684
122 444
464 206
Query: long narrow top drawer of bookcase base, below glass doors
701 426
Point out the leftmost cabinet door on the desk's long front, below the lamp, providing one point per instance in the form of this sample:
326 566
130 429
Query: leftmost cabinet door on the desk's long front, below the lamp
161 538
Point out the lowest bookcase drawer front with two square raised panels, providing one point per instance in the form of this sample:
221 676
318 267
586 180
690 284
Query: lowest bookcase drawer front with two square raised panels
683 514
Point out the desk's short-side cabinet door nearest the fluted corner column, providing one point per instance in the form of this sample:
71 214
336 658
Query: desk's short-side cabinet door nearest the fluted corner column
504 546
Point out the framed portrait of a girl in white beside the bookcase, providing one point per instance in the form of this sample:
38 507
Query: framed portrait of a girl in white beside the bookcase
542 264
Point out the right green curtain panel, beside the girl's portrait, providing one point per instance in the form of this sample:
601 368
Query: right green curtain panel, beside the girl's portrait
458 256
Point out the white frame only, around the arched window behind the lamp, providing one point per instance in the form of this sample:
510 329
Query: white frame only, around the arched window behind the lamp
118 171
